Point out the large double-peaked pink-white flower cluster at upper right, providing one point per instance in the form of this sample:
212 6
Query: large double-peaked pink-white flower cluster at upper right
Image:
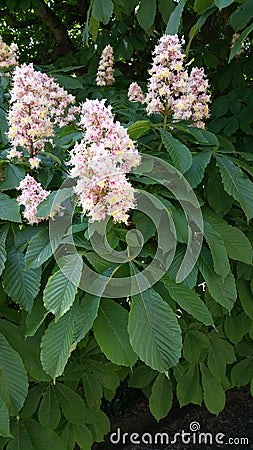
171 90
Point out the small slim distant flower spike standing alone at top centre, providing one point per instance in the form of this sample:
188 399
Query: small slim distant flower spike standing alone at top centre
106 69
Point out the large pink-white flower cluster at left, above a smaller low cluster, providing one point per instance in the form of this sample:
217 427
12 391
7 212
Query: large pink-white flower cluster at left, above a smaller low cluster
37 103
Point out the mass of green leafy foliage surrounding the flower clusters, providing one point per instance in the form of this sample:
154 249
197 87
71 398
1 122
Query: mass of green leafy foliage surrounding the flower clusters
62 351
